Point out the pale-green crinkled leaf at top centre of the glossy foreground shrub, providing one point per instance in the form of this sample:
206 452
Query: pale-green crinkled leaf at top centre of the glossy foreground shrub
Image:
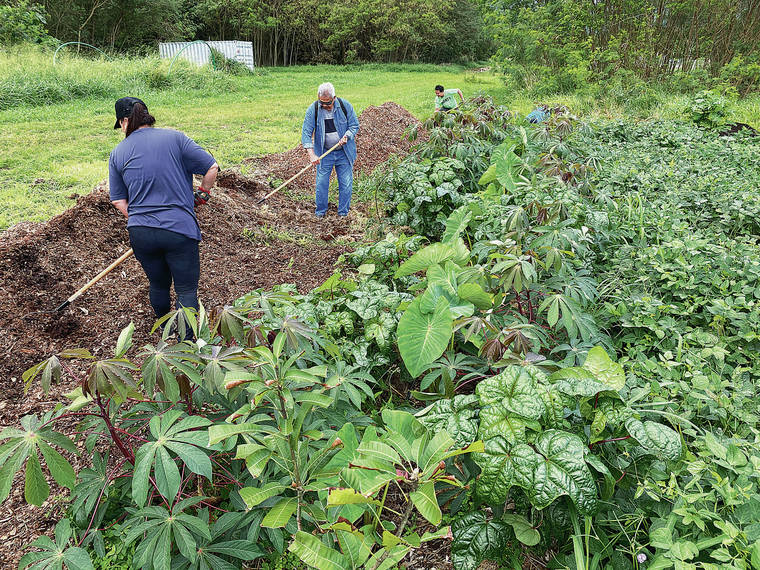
510 401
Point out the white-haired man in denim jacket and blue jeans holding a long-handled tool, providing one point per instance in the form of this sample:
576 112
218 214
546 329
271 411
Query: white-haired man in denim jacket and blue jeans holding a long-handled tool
331 120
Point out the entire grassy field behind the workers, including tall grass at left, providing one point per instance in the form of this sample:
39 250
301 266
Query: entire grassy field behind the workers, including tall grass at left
55 122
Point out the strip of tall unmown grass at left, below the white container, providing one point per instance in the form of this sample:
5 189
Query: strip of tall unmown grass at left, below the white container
29 78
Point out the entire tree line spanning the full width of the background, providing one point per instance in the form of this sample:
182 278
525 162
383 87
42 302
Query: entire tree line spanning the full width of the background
562 44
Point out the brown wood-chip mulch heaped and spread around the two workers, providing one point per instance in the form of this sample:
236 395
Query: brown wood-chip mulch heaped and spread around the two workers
245 246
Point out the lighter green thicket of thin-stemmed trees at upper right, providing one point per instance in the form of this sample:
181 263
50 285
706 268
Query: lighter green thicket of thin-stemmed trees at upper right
586 39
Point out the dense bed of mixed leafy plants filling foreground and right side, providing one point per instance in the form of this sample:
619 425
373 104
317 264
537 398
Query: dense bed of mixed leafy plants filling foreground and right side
554 355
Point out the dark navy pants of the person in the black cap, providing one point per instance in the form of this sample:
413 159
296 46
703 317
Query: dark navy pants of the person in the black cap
167 256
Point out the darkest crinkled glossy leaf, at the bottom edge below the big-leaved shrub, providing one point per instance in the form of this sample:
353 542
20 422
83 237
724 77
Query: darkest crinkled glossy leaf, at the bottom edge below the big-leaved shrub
477 539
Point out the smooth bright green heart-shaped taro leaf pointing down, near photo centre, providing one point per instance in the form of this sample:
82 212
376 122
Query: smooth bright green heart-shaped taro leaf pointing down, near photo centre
422 338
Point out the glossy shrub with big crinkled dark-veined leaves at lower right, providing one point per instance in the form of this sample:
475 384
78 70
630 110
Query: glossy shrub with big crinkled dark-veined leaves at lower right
567 434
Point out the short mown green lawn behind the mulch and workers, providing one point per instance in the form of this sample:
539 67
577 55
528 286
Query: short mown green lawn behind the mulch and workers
52 151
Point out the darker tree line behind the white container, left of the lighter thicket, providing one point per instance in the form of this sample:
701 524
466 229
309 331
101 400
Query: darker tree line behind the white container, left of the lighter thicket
283 32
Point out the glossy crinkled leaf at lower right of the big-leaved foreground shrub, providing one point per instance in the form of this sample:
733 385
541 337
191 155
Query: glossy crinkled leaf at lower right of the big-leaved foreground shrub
561 471
